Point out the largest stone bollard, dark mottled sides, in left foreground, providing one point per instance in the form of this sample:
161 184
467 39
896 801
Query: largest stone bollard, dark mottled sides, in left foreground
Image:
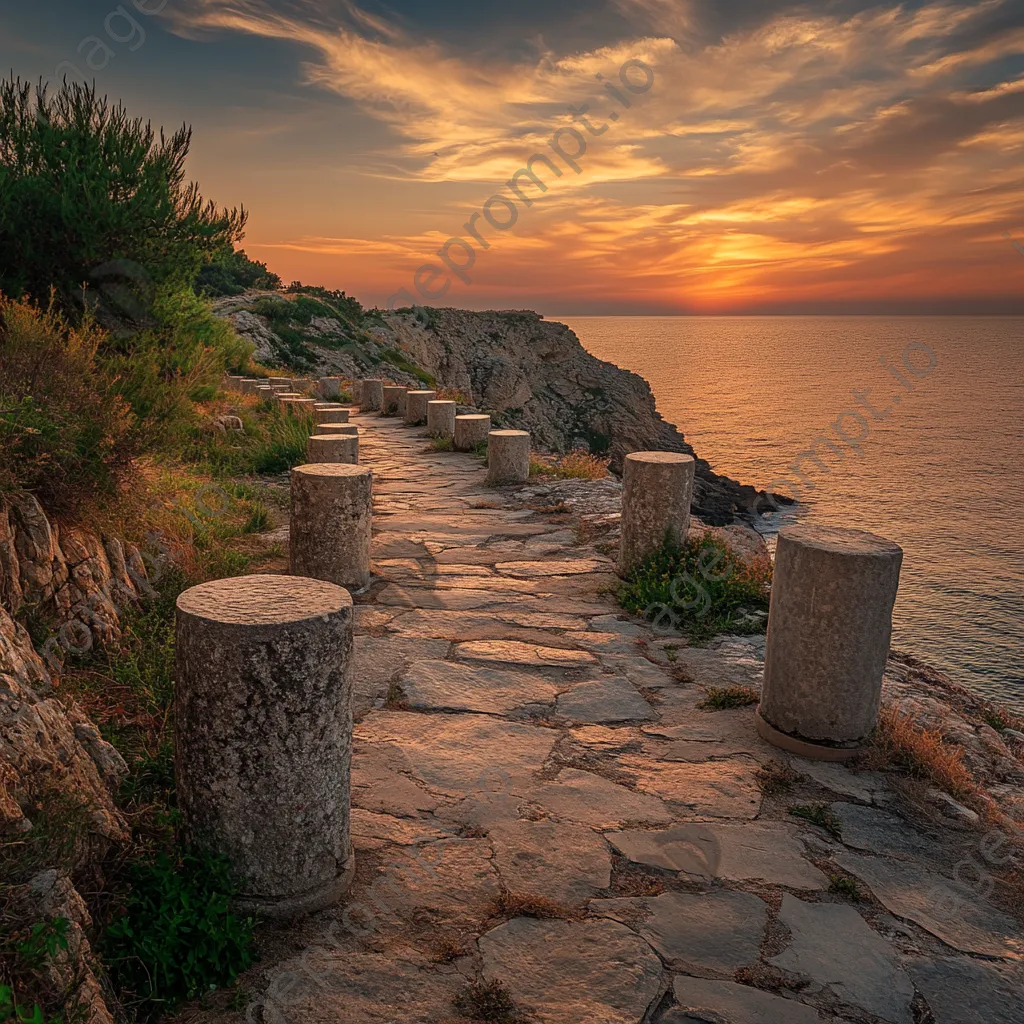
264 728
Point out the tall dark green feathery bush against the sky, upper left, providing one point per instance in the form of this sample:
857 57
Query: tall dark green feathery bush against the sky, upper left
90 196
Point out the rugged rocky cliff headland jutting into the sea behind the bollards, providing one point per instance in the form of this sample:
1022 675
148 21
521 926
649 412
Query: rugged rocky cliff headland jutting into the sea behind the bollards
531 374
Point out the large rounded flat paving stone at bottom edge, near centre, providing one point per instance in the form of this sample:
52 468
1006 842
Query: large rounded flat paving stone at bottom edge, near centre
571 972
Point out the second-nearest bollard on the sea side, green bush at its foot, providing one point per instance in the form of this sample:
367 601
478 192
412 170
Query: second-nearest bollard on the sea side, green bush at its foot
658 489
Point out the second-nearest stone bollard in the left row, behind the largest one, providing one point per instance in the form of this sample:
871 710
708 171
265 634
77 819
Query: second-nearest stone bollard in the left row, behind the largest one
331 524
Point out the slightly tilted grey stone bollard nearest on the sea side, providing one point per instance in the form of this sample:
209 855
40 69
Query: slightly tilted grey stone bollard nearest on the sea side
829 631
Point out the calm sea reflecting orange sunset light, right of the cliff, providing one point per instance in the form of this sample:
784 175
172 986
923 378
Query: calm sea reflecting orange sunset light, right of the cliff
941 468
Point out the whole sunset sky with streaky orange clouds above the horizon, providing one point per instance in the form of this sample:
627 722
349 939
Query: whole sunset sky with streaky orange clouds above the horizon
829 157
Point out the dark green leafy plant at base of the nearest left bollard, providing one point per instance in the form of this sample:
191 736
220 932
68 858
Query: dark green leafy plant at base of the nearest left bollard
179 937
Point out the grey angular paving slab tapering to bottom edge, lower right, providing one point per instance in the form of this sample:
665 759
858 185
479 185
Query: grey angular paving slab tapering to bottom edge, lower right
833 946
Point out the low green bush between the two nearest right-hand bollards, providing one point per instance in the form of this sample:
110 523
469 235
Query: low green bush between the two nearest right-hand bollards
704 588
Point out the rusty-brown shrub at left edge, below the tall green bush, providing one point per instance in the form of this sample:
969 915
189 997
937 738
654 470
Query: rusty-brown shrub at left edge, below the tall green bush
65 433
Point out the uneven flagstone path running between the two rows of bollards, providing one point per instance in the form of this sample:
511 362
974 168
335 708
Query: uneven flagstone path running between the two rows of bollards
539 801
